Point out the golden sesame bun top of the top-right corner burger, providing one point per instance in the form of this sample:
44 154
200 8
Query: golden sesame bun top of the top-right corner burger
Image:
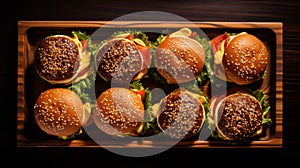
245 59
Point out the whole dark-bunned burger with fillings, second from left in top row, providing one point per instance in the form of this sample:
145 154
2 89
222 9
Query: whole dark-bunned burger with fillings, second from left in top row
124 57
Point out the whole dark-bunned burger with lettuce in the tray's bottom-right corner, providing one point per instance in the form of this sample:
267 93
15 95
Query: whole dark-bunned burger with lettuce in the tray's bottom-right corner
238 115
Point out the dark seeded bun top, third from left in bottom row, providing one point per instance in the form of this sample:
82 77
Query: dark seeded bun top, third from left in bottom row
181 114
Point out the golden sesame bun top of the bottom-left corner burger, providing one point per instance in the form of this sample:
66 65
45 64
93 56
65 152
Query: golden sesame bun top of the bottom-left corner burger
59 112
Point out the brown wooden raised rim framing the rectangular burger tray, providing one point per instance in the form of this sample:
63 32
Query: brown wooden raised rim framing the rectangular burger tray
23 26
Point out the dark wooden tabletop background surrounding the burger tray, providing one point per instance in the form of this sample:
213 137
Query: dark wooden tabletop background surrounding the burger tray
205 11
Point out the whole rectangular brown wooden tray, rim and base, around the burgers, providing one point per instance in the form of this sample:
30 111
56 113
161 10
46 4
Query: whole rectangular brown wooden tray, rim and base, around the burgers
29 86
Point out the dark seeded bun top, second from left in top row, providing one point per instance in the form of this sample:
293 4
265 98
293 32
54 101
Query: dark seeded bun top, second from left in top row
119 59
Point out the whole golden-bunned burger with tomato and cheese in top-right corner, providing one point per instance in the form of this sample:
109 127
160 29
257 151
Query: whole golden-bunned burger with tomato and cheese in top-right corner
239 58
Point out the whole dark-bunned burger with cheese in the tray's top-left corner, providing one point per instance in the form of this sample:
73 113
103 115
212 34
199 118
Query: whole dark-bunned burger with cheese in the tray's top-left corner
63 59
